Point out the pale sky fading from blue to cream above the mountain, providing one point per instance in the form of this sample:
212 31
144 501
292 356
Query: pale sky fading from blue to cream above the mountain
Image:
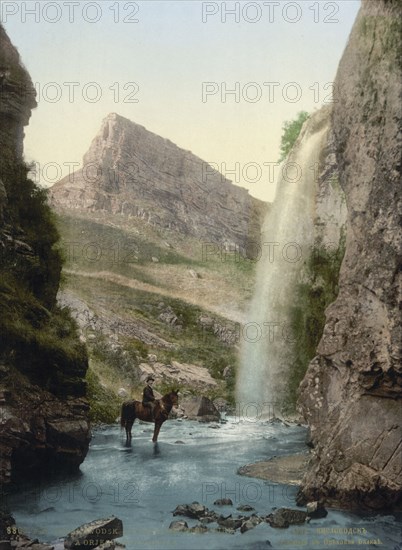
171 66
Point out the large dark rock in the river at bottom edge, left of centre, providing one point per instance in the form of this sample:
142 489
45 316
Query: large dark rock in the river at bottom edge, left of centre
90 535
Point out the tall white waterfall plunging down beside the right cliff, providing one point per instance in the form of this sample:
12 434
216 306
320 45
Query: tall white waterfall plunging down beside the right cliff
267 353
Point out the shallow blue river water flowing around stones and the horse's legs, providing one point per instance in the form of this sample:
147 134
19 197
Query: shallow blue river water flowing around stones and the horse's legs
143 483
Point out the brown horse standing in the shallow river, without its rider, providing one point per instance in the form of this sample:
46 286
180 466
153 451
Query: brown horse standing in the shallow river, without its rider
131 410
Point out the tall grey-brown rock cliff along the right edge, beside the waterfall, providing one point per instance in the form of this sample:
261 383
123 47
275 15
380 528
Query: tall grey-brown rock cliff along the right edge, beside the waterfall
351 395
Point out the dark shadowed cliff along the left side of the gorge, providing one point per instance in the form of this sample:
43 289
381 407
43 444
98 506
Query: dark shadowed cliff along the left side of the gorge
43 411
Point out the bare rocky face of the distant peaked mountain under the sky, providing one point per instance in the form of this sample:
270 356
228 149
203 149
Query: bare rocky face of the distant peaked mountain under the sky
132 171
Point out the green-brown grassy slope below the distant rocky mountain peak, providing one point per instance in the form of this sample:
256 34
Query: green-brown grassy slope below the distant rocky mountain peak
110 268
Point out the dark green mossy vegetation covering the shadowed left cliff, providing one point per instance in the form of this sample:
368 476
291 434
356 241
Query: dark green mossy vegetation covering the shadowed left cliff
38 337
